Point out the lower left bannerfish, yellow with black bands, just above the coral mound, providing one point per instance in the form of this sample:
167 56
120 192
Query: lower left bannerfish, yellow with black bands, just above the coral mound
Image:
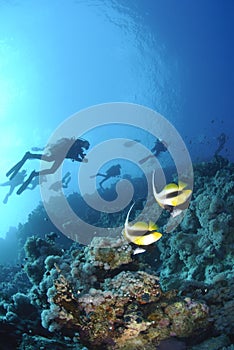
141 233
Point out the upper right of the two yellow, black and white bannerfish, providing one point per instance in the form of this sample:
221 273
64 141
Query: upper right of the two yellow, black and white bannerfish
173 197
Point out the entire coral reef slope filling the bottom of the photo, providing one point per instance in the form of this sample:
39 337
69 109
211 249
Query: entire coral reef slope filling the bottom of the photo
178 295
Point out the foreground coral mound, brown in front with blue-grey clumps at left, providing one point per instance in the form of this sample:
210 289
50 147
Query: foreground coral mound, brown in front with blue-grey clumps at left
97 307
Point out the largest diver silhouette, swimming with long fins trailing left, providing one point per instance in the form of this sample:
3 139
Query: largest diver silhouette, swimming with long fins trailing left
53 153
